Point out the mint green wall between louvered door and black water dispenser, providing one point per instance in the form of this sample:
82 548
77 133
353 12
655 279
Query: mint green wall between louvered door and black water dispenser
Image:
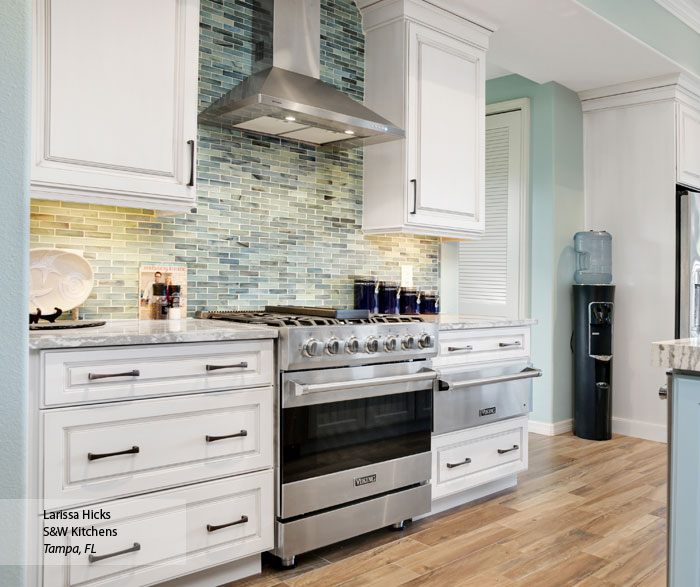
556 212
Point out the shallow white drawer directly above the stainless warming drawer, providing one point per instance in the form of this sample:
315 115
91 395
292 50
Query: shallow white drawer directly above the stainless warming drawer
460 347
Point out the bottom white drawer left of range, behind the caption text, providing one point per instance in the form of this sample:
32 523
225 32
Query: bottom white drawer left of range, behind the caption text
170 530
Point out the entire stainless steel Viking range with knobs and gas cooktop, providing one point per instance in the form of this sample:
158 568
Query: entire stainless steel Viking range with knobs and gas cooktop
354 419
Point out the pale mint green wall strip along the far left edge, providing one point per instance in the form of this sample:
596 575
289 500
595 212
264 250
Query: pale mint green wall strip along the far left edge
15 67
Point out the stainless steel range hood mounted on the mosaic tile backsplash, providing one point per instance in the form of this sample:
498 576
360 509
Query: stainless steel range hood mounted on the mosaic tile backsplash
286 98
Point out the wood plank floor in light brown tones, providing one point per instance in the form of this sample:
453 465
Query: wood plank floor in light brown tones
589 514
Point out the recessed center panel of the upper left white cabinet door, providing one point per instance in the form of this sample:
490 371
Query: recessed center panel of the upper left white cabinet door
133 58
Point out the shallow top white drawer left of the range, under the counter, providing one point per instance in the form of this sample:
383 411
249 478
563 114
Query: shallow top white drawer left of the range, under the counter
112 373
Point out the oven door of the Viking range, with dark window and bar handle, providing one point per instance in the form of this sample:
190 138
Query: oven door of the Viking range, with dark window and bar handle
352 433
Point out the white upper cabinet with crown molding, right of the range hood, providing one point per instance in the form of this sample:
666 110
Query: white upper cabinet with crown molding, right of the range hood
424 71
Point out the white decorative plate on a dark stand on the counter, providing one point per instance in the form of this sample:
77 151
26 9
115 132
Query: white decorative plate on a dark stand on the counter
58 279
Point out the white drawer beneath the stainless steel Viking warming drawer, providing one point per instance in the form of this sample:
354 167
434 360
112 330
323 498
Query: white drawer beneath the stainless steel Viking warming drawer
471 457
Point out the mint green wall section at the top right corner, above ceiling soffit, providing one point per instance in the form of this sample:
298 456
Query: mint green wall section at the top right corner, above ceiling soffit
655 26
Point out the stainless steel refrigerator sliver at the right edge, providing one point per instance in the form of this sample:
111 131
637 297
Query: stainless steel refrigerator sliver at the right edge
687 263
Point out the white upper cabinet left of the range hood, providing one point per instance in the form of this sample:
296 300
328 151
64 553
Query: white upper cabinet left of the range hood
115 102
